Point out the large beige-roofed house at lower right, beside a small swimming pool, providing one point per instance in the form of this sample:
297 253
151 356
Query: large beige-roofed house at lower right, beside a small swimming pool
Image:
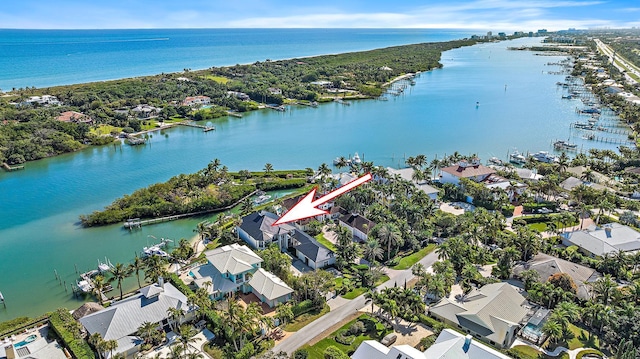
492 313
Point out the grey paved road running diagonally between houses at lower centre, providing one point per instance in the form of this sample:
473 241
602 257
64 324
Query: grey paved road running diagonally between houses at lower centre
322 324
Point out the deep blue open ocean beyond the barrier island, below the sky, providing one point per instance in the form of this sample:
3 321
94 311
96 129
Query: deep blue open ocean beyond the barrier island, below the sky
44 58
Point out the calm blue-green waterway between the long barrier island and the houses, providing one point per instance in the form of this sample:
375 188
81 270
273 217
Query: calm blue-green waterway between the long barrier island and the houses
40 205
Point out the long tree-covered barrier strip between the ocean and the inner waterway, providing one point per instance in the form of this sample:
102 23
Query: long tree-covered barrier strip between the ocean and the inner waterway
30 131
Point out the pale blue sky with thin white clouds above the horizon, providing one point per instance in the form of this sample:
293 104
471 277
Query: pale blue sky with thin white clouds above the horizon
498 15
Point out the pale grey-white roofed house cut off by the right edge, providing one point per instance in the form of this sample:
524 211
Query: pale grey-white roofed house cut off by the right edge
607 239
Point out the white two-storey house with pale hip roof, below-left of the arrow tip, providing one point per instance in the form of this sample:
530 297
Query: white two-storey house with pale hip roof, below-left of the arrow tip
235 268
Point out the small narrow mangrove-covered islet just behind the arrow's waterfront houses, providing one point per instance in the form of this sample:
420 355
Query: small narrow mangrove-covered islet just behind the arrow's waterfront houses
212 188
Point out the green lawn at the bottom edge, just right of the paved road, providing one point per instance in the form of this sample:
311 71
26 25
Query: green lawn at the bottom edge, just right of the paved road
376 331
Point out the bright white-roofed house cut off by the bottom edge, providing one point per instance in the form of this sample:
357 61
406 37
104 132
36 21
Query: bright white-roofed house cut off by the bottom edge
449 344
